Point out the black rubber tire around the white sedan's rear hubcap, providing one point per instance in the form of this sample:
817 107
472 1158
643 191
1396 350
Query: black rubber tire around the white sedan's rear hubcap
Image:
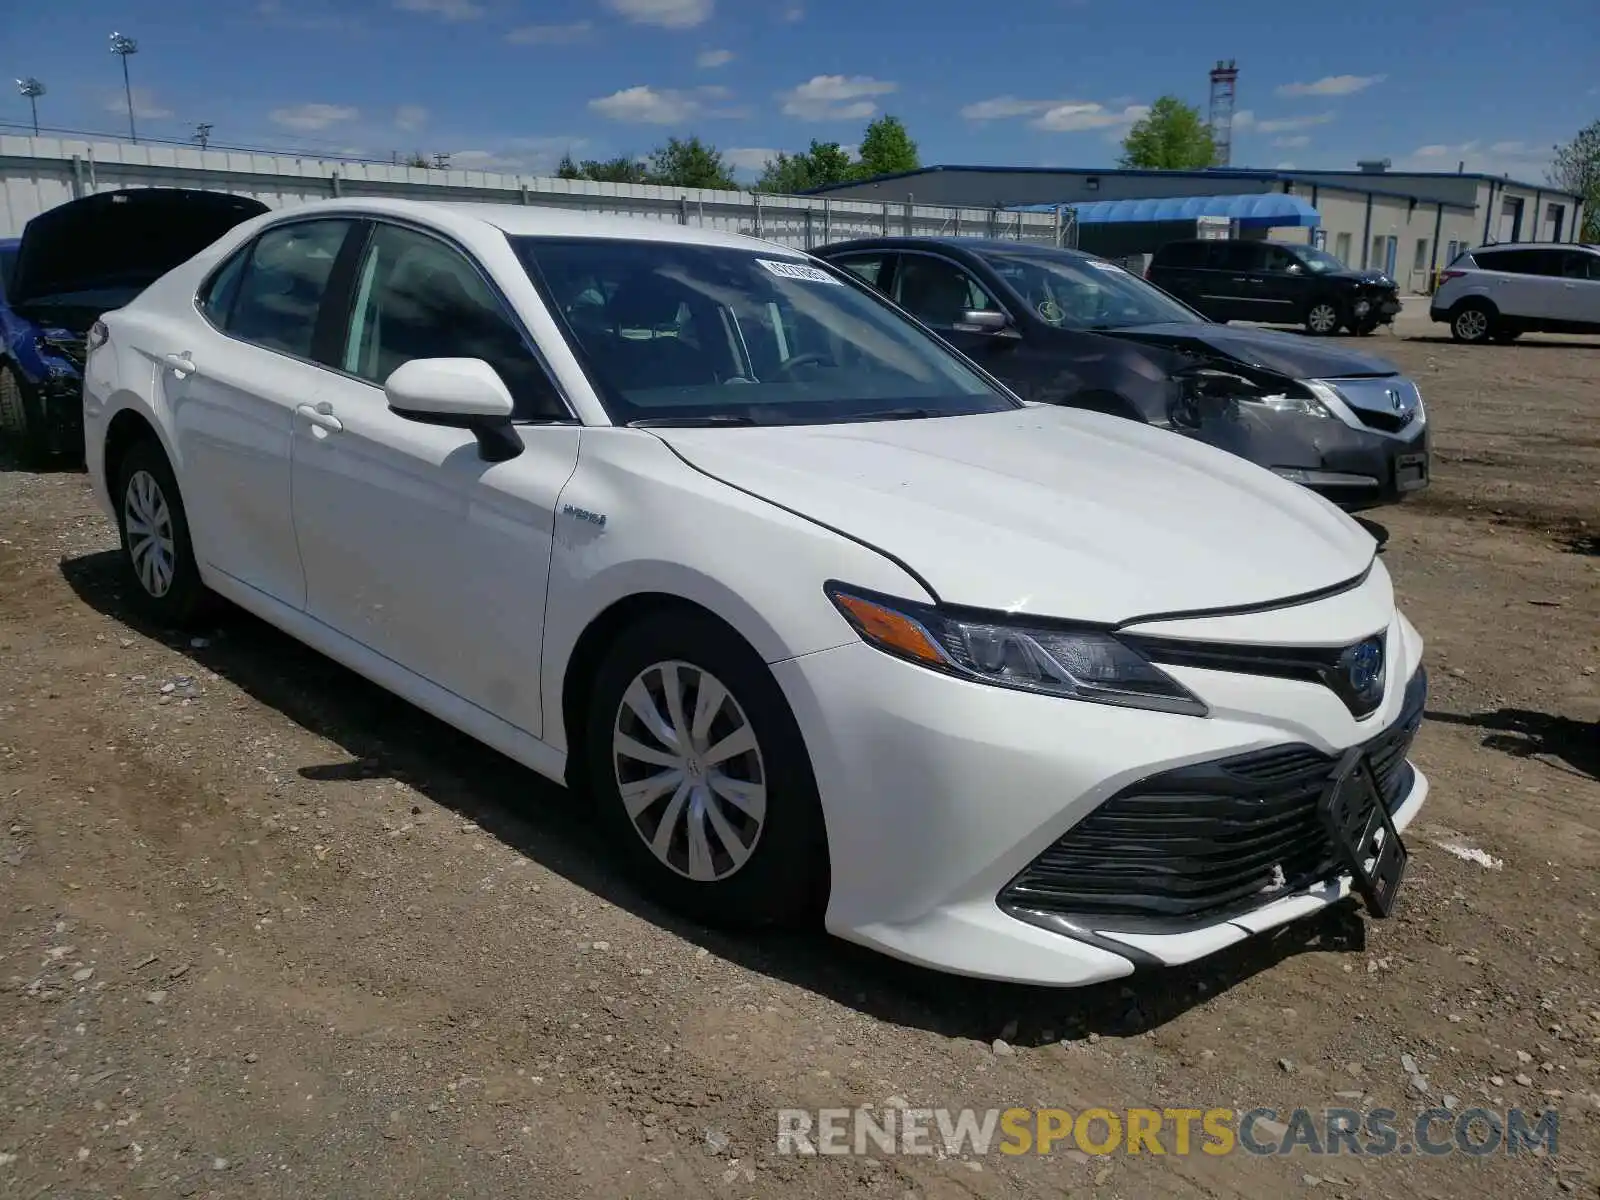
185 599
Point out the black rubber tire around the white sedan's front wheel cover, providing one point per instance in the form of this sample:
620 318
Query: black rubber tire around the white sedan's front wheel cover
785 878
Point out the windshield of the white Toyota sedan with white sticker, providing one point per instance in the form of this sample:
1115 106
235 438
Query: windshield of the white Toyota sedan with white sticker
687 334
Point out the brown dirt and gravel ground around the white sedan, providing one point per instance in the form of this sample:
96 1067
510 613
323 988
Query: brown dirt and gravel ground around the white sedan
266 932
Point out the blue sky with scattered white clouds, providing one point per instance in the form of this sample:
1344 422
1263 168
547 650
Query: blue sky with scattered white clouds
513 84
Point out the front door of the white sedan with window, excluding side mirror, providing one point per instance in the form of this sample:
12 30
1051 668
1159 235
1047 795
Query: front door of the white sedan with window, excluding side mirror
414 545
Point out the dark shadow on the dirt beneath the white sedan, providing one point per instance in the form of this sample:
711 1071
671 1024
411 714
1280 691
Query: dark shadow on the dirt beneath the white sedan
390 738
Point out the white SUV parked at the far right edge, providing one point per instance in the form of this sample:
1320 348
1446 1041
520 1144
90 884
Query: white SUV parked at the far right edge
1502 292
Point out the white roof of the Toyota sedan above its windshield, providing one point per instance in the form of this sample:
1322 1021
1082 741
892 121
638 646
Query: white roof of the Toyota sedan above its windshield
538 222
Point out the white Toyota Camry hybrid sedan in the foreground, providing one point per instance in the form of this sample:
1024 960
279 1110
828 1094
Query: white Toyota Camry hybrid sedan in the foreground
818 617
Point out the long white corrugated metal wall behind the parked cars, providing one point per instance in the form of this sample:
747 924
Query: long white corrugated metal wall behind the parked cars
39 174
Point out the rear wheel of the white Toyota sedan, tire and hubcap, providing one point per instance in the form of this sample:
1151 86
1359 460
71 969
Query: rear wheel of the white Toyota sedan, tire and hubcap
156 542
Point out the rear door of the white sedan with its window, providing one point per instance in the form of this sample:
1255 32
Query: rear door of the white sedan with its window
233 383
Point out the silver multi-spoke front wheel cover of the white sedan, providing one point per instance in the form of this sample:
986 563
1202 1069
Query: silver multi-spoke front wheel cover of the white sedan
690 772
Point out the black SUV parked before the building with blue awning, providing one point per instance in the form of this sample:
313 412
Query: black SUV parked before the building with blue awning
1276 284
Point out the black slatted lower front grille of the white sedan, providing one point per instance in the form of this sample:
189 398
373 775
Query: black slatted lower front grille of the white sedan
1210 841
